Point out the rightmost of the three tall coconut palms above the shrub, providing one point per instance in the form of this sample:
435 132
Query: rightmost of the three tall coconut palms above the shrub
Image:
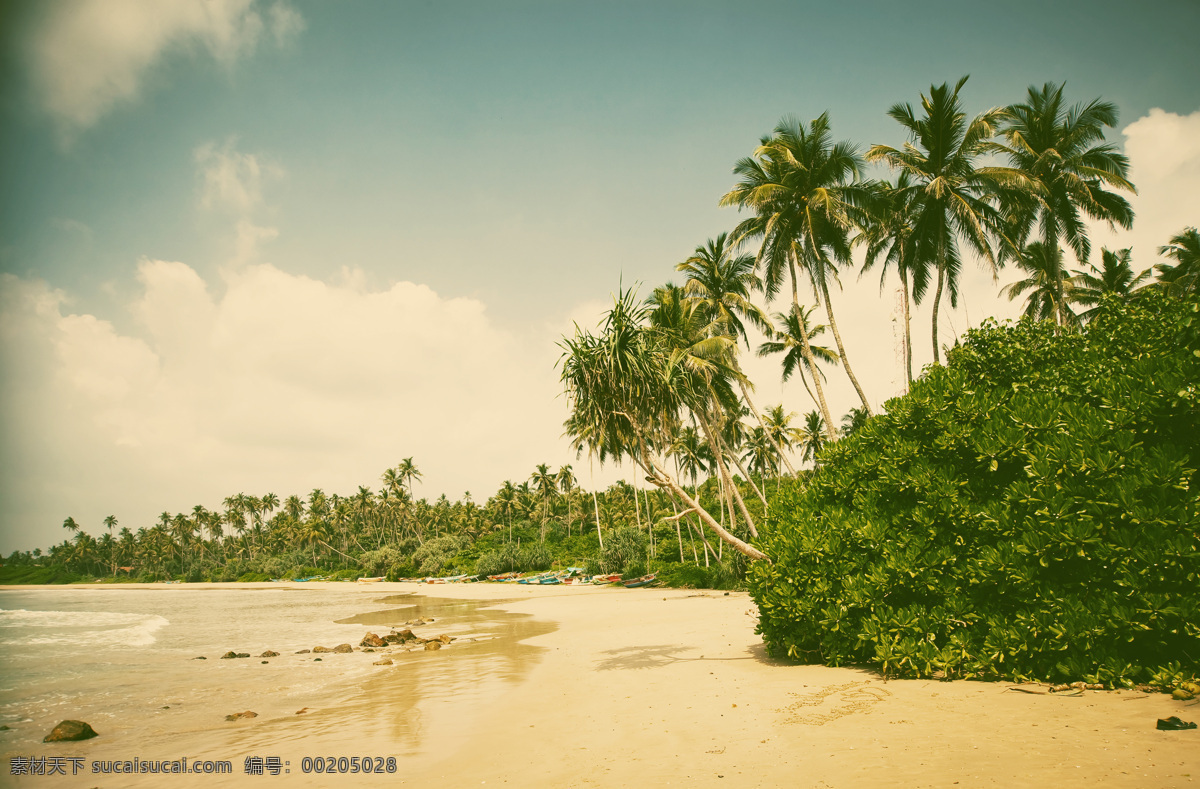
1063 152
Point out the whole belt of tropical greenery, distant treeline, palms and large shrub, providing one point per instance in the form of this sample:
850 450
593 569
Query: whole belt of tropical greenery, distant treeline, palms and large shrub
1028 509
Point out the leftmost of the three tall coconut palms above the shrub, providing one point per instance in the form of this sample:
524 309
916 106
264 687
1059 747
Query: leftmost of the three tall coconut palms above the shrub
802 189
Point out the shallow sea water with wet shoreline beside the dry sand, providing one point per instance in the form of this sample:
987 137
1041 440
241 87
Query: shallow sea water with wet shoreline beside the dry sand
127 661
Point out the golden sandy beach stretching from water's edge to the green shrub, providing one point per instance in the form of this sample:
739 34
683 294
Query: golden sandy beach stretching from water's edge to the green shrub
613 688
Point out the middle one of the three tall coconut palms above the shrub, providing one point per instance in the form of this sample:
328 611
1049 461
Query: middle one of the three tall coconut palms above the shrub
949 197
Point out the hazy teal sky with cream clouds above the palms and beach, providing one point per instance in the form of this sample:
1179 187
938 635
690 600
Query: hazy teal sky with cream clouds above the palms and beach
255 246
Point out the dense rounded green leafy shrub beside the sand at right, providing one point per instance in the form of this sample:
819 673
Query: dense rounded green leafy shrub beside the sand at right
1028 511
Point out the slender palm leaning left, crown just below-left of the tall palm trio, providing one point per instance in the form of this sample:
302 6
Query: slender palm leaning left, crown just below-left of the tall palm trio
721 285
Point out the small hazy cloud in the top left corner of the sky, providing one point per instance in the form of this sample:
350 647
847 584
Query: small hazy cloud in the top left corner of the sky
88 56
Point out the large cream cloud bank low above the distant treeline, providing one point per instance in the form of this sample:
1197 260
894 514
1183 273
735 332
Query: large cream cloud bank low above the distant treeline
273 382
